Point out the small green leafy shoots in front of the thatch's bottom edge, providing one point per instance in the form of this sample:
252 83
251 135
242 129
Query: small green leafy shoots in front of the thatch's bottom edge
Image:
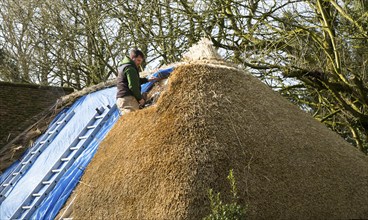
226 211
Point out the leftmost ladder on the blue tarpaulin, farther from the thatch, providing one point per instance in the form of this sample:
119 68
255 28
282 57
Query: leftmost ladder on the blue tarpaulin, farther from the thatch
33 154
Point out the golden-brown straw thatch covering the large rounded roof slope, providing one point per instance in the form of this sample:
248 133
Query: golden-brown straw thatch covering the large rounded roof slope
158 163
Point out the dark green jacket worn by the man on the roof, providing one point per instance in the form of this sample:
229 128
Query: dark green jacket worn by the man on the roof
128 81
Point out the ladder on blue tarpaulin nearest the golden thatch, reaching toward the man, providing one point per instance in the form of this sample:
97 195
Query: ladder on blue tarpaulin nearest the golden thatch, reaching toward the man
34 199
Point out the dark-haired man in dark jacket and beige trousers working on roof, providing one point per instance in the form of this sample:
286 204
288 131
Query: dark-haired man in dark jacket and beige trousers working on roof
129 97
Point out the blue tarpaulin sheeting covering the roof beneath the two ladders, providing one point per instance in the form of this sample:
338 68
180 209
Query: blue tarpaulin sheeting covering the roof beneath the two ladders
84 109
